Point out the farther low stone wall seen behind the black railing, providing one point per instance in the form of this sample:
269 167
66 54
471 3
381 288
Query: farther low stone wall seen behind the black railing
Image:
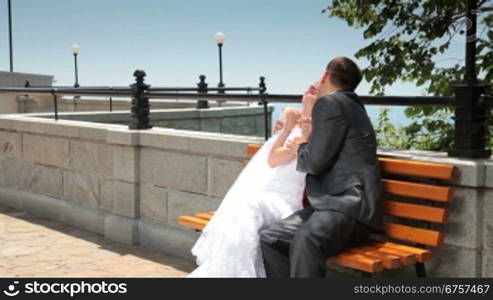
242 120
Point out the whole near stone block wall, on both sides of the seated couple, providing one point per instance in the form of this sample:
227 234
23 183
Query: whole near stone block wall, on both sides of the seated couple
131 186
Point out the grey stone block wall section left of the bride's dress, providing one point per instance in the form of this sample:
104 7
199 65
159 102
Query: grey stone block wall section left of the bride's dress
129 186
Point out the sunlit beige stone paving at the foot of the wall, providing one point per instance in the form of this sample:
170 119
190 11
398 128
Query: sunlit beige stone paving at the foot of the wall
35 247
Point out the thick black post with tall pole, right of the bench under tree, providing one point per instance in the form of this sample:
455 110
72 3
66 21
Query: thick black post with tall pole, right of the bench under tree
470 116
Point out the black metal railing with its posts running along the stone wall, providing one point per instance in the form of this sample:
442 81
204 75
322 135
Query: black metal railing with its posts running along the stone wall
470 103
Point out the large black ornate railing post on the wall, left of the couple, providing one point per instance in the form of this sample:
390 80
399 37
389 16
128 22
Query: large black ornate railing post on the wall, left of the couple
139 118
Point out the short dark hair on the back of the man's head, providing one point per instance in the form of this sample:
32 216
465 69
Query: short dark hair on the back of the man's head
344 73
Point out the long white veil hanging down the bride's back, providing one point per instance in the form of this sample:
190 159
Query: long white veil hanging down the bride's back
249 184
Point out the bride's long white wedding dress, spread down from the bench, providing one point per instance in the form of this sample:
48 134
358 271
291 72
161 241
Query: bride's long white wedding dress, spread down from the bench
229 244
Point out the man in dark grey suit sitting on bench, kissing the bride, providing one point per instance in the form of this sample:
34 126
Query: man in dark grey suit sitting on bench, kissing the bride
338 153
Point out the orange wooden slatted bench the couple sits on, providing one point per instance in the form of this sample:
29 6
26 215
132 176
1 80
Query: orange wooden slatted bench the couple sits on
415 204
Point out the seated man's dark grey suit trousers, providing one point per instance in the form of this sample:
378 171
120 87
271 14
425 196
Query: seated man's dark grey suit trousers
299 245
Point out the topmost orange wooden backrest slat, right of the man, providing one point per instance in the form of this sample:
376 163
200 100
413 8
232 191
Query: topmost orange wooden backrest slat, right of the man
416 168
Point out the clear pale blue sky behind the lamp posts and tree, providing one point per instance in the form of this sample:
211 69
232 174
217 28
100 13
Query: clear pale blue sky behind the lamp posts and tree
288 41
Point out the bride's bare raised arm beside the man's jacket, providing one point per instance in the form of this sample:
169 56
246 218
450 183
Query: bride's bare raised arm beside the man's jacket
280 155
